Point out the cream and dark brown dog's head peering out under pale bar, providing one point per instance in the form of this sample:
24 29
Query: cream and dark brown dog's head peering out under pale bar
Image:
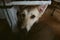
29 15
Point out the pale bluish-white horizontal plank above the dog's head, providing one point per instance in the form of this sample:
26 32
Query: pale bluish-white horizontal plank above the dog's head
28 3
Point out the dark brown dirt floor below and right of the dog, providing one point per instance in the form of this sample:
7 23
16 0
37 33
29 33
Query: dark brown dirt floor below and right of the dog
48 27
